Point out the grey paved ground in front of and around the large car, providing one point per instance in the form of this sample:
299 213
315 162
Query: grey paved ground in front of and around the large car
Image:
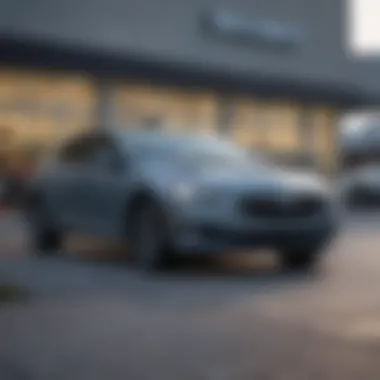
235 320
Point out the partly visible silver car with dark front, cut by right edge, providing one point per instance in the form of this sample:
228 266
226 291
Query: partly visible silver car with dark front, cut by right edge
361 187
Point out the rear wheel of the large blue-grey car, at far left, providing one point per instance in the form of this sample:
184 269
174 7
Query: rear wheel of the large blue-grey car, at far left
46 239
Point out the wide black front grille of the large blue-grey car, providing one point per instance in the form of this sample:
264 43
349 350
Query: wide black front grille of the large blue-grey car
299 207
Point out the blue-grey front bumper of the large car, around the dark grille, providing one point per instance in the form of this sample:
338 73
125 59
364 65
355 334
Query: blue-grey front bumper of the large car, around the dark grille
221 225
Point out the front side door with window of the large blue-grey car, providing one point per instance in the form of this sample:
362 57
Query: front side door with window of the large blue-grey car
105 183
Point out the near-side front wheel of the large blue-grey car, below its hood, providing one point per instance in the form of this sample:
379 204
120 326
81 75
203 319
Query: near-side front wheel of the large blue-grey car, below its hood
150 239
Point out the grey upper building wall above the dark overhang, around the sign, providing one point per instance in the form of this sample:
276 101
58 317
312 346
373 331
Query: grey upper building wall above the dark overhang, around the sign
170 30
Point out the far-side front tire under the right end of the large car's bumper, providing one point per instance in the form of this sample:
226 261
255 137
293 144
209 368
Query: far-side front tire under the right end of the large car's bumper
299 259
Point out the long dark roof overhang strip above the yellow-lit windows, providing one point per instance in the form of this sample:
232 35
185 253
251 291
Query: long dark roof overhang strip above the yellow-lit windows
23 51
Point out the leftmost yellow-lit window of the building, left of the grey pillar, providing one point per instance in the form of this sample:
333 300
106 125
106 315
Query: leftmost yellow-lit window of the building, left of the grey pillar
40 108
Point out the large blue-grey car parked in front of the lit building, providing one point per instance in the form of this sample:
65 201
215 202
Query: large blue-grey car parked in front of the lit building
171 196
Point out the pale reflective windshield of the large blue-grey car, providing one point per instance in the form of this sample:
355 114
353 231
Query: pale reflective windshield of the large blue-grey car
205 151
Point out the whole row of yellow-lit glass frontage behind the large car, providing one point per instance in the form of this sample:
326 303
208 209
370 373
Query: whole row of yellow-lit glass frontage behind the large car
38 109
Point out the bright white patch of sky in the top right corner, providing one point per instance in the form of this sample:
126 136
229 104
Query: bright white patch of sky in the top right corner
363 29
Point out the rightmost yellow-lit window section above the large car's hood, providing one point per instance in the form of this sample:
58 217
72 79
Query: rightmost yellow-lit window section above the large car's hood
300 135
